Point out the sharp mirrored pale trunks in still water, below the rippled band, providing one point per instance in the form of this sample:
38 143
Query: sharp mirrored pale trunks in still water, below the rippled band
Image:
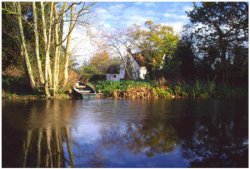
45 148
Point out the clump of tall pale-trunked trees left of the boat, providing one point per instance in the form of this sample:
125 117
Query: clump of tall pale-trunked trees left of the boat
32 28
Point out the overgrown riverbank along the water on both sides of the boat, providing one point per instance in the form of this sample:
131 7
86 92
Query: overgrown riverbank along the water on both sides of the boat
16 89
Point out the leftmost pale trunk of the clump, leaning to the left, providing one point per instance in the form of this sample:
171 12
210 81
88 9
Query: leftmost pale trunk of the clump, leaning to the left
23 46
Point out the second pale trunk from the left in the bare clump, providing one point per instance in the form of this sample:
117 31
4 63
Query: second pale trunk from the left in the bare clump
40 71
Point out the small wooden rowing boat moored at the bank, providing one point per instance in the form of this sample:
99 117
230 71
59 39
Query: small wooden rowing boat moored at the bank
84 91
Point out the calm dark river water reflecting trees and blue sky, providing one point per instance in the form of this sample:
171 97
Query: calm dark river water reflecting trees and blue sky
123 133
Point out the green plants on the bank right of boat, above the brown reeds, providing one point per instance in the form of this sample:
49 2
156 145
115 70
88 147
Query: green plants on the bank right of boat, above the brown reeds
199 89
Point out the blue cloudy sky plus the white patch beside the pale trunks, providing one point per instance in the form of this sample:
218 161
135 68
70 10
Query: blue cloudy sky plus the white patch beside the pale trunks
112 16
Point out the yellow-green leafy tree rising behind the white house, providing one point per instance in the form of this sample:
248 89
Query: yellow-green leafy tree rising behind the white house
155 43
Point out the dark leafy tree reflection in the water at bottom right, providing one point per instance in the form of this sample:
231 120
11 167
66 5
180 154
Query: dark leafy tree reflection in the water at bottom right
220 144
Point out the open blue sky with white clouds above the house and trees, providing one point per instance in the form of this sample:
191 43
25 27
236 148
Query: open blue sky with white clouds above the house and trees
124 14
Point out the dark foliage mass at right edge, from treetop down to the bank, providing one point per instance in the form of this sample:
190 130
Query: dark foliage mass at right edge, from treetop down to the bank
221 40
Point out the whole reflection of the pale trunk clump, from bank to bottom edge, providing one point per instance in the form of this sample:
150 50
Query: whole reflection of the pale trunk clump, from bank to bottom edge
42 135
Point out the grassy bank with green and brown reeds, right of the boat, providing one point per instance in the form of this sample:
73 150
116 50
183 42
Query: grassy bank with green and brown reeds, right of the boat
143 89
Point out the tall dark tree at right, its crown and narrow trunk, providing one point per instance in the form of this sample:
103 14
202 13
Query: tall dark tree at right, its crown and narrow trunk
222 25
